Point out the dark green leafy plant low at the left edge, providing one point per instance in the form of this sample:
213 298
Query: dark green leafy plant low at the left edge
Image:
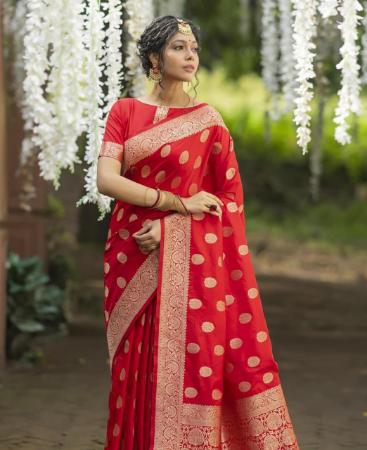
34 307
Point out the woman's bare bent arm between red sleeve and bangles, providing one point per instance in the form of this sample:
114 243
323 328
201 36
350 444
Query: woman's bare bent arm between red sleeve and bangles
111 183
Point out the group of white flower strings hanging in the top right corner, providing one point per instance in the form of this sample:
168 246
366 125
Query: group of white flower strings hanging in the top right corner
297 66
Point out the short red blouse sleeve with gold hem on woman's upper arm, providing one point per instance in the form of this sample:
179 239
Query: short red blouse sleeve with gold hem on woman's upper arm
113 138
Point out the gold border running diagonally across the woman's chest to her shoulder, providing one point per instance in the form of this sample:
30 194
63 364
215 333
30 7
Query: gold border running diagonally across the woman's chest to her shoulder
147 142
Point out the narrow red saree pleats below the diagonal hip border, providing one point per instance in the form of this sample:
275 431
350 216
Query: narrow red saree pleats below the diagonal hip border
130 399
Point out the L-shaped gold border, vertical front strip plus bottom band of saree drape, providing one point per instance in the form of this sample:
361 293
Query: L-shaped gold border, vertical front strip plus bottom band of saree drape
258 422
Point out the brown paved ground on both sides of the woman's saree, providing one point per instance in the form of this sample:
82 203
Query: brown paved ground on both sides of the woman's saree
319 337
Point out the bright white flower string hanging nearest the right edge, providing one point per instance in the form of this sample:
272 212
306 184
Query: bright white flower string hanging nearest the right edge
349 101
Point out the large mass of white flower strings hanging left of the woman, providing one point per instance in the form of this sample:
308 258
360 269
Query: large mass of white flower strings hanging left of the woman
63 52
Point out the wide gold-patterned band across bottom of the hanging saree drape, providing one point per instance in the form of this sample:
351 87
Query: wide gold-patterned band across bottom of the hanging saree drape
261 422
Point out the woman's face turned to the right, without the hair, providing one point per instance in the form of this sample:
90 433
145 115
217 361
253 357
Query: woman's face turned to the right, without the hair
181 51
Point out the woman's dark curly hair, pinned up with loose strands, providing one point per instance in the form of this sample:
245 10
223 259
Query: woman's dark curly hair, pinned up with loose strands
155 38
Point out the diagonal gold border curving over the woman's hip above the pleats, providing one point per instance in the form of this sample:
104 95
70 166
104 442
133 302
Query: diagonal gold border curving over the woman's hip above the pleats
133 298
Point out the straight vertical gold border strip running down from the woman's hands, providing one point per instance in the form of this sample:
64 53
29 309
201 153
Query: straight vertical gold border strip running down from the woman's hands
172 330
